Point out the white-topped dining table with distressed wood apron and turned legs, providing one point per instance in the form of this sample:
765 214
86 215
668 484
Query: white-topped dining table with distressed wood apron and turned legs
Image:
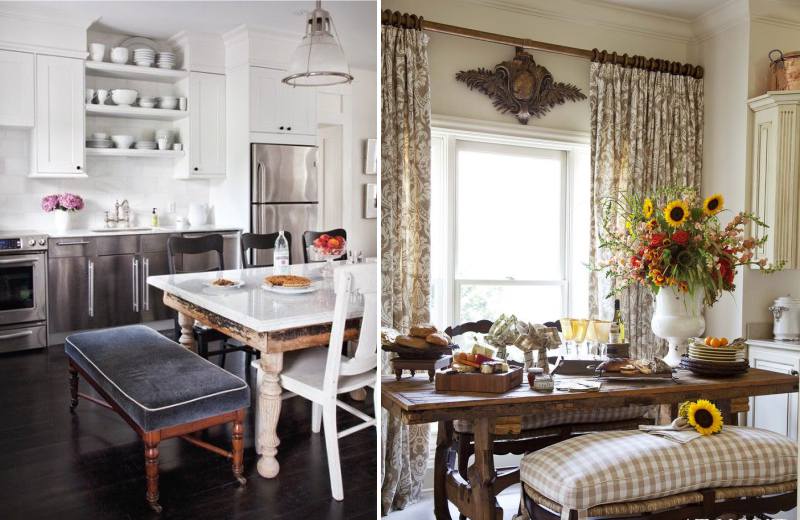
268 322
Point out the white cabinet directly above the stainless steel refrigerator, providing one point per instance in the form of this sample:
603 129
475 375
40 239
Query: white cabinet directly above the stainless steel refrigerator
278 108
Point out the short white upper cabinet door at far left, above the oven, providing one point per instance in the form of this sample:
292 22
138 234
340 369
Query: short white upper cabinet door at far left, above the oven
16 88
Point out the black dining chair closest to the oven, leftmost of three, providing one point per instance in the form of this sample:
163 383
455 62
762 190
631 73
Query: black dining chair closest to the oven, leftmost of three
204 245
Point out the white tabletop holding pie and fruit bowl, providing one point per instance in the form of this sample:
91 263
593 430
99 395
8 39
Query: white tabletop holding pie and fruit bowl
254 307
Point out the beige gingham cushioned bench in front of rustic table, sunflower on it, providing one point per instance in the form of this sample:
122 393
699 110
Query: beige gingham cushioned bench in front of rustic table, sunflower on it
612 474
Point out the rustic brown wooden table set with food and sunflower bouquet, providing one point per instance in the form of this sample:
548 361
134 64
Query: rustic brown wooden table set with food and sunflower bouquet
416 401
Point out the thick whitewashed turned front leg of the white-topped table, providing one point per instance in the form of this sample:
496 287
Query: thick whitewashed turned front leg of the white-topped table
269 410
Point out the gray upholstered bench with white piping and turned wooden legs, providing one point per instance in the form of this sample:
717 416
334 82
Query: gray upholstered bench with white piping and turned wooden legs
161 389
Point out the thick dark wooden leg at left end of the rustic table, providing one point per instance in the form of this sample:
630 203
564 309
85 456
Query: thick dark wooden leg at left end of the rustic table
482 473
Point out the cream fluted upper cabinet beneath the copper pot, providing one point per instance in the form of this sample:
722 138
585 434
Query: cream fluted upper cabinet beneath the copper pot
775 174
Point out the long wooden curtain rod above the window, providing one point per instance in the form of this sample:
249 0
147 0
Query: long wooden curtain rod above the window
412 21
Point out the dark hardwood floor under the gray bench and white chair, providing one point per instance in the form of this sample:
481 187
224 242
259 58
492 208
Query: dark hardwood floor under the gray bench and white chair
55 465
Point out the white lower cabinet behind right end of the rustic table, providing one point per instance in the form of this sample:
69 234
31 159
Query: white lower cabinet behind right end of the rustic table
777 413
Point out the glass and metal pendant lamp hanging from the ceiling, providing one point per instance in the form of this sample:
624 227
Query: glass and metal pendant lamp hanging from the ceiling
319 60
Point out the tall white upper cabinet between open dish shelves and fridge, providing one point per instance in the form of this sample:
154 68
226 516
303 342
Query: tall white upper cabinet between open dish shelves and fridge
206 125
